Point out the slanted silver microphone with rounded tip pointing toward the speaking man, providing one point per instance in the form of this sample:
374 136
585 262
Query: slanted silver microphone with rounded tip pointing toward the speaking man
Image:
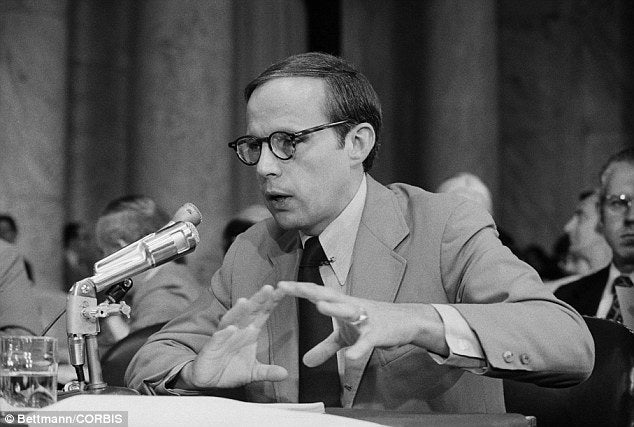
177 238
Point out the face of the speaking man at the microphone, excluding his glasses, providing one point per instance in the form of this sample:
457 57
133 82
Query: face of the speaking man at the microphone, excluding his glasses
309 190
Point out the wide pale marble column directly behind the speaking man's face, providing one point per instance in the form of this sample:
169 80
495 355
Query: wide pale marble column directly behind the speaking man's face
193 59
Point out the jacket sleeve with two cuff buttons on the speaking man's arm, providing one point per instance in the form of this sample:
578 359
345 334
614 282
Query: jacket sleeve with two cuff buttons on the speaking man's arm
526 333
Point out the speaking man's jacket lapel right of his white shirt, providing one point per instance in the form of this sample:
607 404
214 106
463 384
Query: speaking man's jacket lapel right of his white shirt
377 270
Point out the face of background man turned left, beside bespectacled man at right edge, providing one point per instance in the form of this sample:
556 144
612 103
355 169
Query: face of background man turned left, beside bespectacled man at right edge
582 227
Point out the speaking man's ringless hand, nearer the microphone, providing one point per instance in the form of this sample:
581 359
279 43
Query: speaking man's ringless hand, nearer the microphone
228 359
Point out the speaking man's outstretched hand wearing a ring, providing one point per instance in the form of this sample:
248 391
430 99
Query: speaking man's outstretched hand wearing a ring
386 325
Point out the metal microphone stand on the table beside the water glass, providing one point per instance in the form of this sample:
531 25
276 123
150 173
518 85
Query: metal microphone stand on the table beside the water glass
82 324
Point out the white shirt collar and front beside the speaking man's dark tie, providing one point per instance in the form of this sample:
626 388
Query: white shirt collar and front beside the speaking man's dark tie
339 236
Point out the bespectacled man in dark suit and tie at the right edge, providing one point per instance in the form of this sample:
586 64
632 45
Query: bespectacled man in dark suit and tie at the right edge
594 295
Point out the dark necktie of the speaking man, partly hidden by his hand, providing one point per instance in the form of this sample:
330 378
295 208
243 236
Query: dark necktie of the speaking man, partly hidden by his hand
321 383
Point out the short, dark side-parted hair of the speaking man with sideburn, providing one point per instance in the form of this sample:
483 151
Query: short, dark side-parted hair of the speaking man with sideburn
349 94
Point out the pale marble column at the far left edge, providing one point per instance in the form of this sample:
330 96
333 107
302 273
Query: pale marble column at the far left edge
33 104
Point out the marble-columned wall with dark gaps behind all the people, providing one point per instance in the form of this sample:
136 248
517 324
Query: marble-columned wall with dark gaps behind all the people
103 98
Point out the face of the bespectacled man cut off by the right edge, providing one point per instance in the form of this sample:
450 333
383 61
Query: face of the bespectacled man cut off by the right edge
618 228
